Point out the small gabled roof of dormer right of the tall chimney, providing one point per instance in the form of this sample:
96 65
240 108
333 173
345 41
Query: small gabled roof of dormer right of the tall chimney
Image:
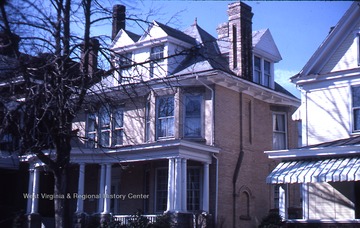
264 44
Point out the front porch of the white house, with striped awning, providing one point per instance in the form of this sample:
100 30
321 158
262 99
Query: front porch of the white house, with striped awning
328 178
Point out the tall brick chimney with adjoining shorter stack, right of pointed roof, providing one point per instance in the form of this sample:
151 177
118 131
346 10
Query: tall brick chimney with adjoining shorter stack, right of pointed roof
236 39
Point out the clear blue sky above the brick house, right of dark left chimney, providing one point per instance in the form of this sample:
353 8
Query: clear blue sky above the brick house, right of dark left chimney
298 27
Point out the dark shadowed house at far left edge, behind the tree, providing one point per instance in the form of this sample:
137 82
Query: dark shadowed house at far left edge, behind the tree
11 171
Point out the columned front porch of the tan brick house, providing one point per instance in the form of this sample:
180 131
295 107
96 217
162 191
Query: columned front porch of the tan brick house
153 179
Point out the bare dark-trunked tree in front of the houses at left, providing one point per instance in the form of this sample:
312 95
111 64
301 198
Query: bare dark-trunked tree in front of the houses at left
47 86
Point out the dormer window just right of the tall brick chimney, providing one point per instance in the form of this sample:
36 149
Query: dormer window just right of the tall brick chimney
262 72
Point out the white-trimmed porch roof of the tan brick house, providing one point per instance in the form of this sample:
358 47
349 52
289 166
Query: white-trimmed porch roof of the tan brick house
143 152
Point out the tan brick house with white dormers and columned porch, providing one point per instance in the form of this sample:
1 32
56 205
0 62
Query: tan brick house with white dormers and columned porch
182 126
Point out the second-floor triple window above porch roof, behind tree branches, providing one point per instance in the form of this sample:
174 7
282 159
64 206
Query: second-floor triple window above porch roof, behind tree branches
105 128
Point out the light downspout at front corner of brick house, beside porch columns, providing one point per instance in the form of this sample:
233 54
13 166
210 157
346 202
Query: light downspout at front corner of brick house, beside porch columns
212 143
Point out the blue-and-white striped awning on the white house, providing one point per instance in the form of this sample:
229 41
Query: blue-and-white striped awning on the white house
325 170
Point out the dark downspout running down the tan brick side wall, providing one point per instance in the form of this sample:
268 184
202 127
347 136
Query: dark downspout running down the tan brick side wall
238 162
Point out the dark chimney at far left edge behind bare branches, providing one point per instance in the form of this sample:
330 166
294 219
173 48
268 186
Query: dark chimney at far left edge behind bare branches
9 44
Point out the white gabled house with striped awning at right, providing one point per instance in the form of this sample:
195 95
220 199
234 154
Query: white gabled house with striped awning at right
327 166
